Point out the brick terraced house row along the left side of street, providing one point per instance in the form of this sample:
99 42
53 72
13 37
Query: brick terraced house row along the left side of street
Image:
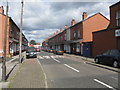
12 40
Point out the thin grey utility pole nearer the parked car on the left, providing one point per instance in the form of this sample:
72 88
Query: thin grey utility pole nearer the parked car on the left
20 51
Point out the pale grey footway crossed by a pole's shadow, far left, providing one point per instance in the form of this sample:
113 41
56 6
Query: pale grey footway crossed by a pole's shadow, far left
12 66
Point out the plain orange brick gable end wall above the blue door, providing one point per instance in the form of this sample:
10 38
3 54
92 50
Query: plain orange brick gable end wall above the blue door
96 23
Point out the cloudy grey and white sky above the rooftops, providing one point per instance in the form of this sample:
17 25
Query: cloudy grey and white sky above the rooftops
42 18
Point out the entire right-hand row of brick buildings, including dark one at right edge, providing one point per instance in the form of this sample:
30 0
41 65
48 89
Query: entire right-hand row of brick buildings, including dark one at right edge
89 37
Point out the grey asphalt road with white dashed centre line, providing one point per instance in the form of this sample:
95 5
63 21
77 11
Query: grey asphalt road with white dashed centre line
64 72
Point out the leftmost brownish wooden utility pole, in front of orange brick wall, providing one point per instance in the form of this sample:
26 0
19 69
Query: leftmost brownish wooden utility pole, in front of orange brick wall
4 54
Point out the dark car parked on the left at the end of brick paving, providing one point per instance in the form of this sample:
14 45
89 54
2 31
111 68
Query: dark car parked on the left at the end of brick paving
31 52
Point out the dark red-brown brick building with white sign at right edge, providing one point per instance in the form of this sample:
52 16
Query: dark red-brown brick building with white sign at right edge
109 38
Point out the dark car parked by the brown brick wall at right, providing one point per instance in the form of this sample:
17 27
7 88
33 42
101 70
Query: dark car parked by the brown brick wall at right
111 57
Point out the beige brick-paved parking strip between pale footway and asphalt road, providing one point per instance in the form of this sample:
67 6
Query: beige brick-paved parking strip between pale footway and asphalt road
30 75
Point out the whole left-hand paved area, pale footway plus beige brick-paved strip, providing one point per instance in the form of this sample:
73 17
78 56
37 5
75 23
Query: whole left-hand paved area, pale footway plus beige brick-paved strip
28 74
